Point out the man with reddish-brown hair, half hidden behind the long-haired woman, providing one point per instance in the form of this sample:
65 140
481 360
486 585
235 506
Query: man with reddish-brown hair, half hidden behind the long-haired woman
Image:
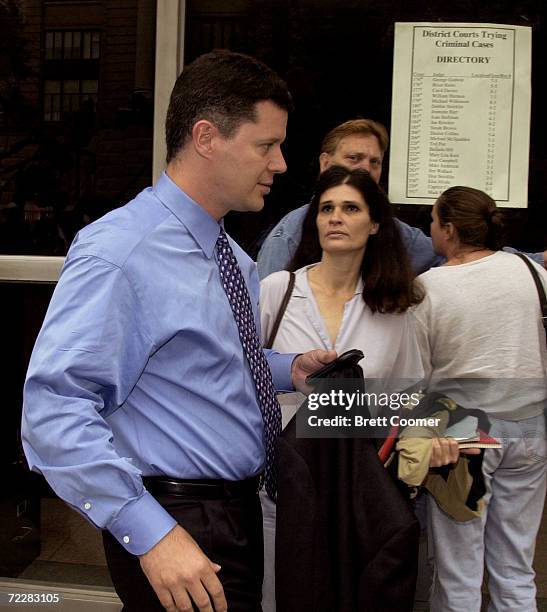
359 143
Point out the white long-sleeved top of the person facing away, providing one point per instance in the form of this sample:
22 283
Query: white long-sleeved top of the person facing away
480 333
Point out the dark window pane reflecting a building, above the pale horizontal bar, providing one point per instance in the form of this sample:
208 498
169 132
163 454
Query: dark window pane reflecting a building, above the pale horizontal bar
76 127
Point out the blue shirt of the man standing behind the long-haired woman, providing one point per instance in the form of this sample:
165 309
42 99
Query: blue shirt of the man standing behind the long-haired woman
282 242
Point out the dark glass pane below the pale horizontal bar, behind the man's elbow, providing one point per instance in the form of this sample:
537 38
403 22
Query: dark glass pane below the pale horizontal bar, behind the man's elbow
41 538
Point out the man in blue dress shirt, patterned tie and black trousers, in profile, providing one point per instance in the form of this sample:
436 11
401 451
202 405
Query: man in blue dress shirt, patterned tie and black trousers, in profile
139 370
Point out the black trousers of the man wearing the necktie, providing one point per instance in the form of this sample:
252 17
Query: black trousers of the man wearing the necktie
229 531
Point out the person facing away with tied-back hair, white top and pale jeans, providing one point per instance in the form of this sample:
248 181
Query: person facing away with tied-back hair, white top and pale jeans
483 345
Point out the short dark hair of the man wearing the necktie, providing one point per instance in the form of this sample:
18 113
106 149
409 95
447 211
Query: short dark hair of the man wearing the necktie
224 88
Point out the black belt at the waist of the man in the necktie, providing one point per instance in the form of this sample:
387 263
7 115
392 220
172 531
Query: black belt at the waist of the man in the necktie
203 489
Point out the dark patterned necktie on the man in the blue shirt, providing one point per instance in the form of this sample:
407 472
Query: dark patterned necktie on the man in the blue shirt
240 302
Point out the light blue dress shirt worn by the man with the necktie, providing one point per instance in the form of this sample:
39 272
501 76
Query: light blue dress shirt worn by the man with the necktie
139 369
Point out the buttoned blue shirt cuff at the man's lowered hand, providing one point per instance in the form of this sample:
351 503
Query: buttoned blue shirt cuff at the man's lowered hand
141 524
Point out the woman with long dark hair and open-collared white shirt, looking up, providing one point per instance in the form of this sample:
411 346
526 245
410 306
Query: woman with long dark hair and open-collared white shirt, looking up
353 289
